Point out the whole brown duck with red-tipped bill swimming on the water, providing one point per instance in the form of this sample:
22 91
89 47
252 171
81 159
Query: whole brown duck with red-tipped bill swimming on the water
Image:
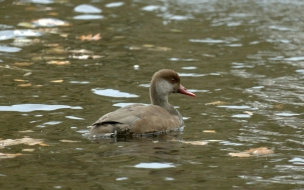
139 119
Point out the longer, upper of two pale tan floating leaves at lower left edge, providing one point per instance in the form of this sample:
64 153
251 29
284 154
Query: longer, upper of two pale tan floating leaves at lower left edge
26 140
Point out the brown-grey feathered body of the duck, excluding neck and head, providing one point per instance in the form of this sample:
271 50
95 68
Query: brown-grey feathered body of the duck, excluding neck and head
136 119
